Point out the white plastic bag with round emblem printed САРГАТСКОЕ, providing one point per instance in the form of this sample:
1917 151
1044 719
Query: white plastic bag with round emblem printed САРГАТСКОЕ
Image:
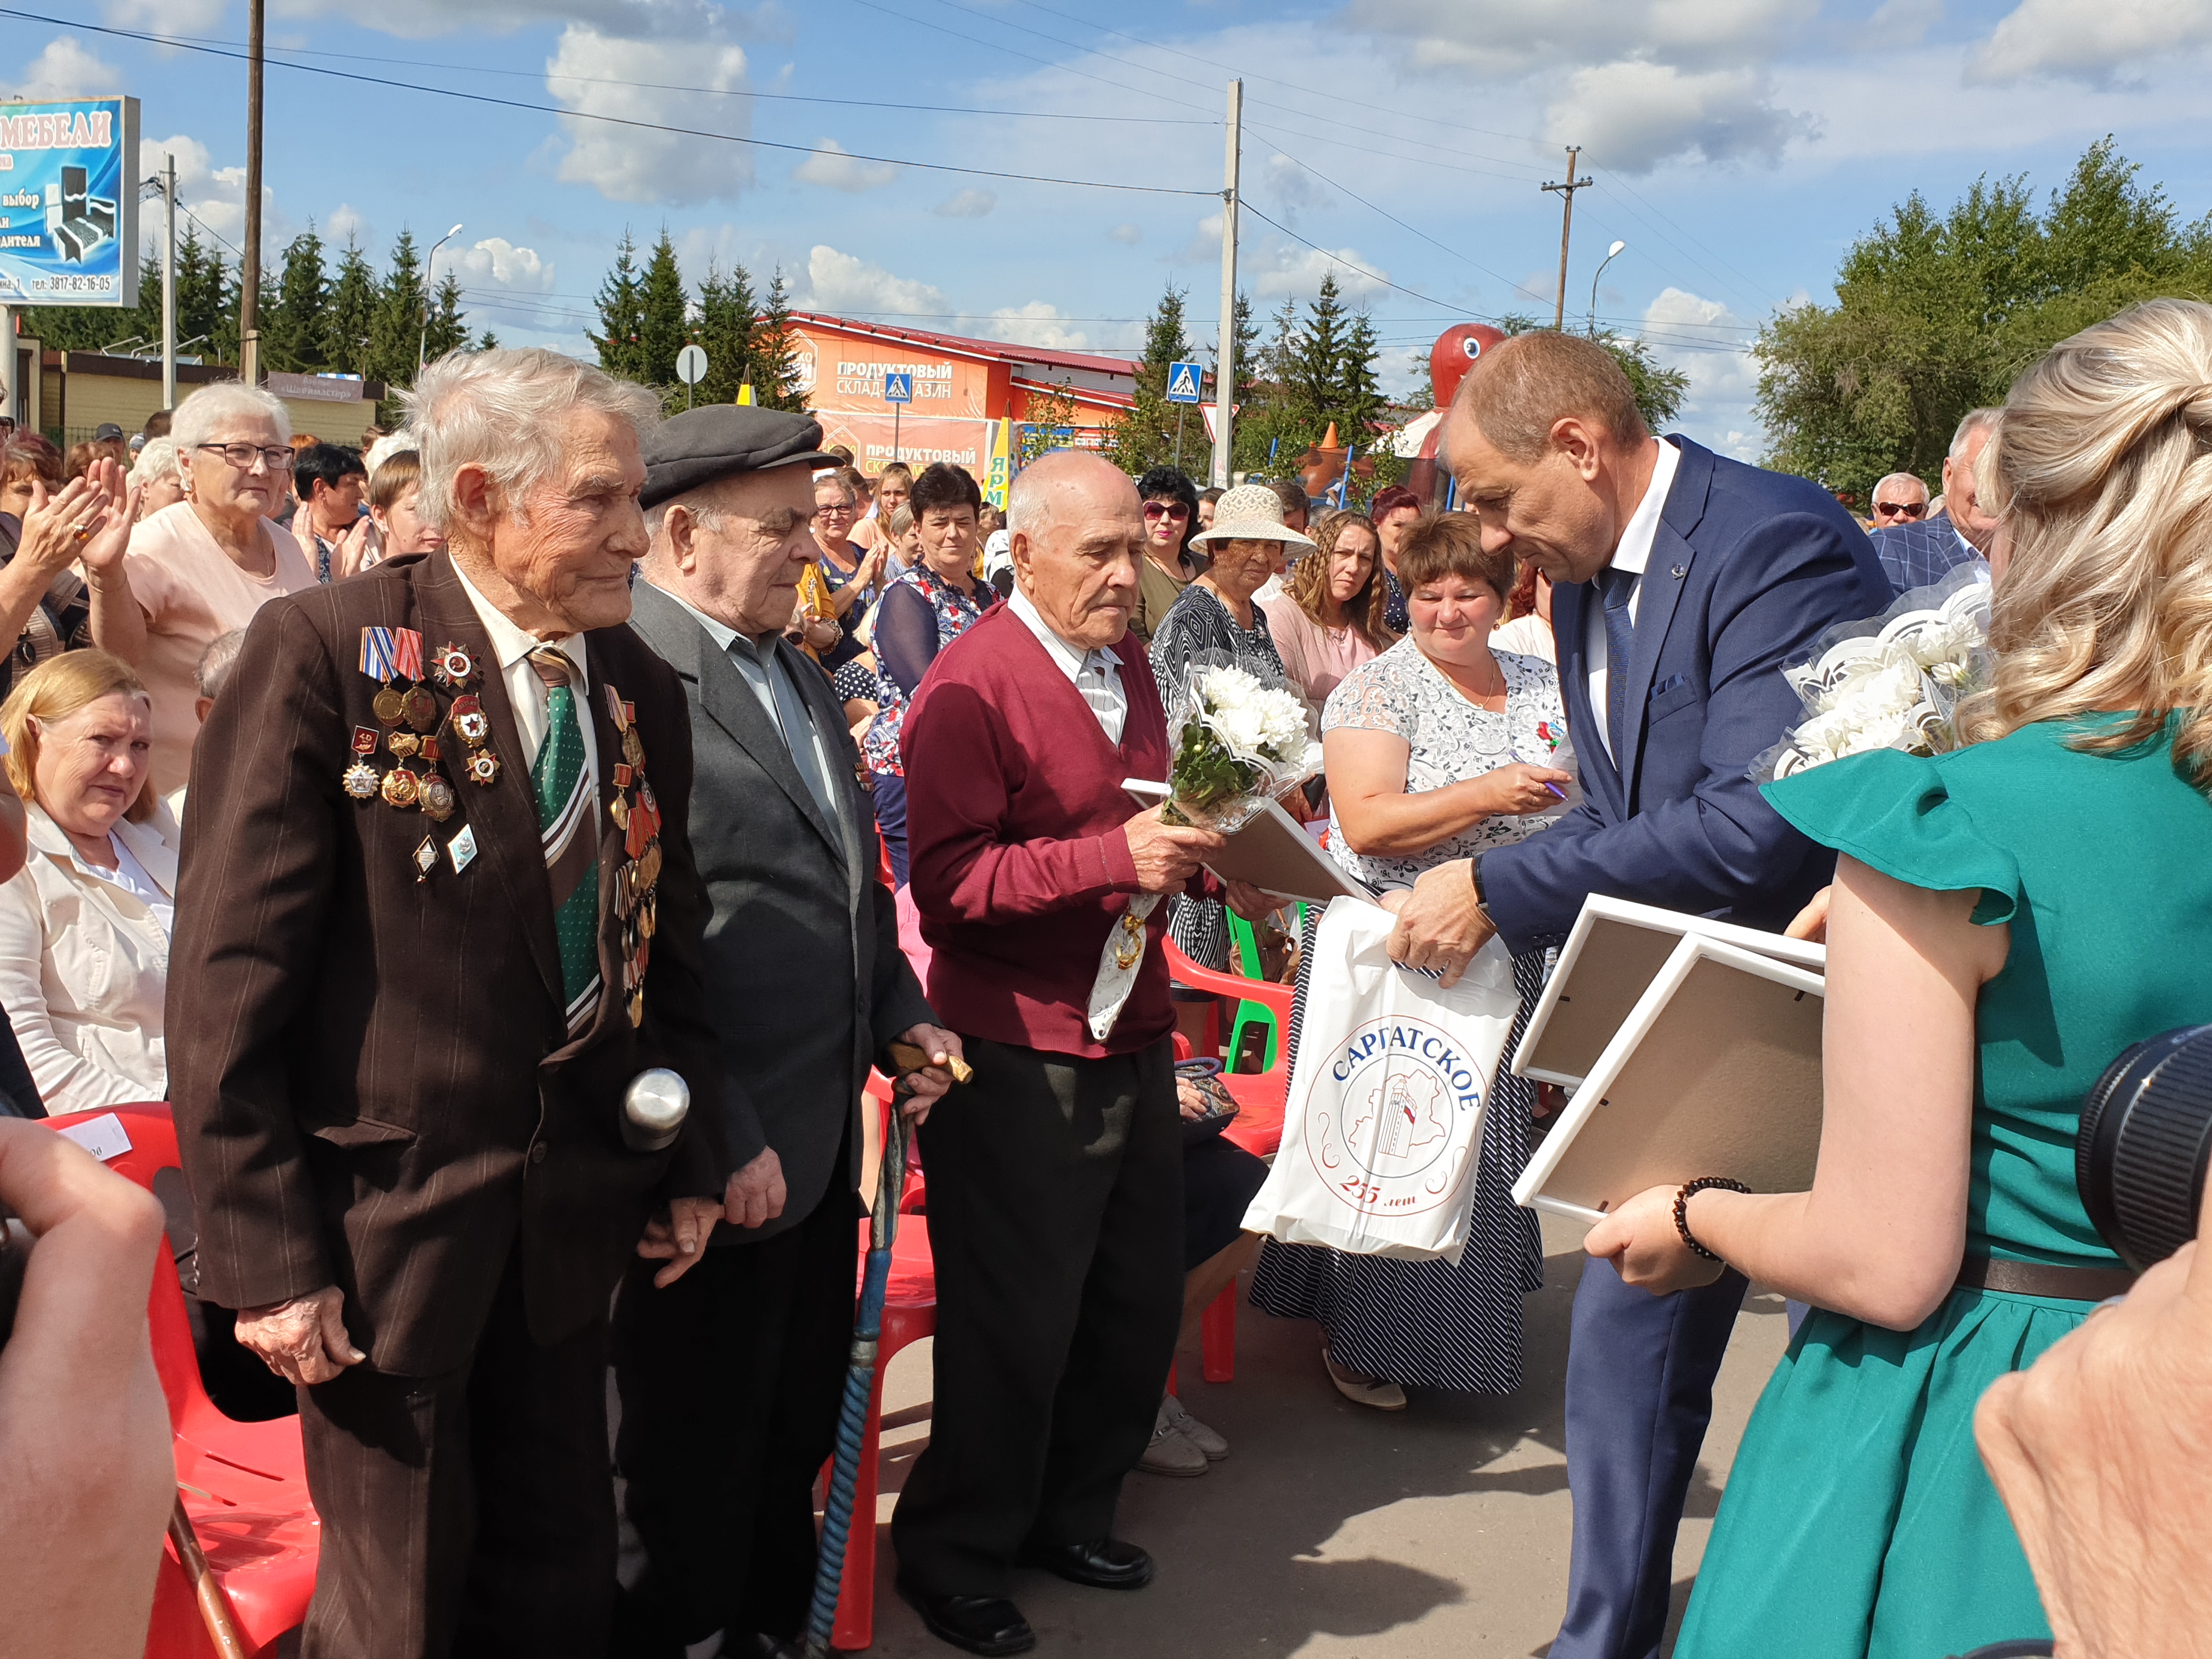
1384 1123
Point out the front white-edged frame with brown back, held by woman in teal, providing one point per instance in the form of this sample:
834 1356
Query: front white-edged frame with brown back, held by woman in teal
1713 1072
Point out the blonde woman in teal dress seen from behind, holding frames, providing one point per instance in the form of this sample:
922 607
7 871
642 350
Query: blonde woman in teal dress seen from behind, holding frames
2005 921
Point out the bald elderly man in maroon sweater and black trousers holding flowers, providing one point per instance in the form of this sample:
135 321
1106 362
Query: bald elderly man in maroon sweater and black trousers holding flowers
1056 1178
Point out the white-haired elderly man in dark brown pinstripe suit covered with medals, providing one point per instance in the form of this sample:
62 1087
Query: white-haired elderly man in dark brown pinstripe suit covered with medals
435 1019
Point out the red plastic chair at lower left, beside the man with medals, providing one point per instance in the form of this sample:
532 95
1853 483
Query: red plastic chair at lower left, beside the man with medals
244 1483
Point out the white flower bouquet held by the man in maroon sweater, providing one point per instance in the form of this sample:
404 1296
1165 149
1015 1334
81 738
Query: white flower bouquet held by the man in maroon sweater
1240 744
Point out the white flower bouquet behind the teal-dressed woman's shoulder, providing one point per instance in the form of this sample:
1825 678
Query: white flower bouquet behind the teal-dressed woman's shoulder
1892 682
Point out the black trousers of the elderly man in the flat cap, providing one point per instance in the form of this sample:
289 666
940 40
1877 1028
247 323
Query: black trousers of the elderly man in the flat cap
731 1384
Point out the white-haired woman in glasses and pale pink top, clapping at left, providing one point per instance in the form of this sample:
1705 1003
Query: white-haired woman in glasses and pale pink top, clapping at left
202 567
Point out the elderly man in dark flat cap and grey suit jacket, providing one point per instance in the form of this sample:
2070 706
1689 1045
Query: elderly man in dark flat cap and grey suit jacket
731 1379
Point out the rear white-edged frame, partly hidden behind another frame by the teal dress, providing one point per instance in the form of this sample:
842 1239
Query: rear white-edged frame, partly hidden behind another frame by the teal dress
1607 966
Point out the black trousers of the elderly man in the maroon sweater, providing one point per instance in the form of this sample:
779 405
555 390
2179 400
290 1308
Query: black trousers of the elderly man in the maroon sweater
1056 1218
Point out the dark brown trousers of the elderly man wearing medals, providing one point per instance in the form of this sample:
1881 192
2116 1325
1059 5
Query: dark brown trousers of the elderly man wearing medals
466 1514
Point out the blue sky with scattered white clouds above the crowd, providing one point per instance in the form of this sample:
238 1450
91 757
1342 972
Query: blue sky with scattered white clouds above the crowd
1738 147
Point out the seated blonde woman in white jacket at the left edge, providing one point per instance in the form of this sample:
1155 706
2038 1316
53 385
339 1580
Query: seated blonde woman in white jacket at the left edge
85 924
